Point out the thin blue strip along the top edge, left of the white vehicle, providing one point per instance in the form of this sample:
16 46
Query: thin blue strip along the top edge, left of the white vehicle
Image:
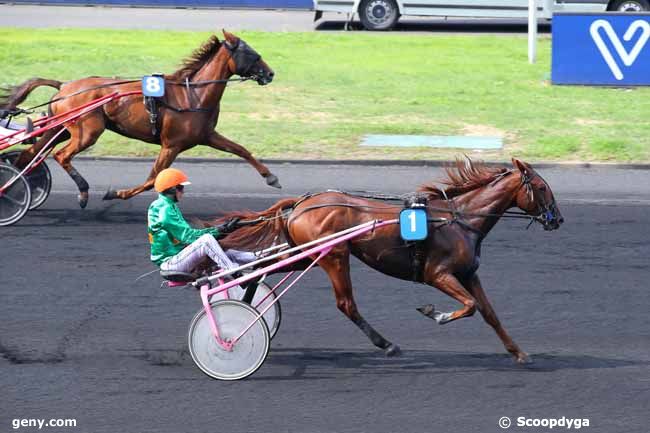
265 4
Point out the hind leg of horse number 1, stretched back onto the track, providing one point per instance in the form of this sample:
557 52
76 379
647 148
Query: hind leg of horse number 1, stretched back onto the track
337 267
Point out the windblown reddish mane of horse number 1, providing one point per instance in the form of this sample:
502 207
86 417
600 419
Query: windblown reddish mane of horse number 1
465 175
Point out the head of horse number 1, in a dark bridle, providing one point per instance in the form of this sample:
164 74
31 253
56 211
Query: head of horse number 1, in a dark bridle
536 198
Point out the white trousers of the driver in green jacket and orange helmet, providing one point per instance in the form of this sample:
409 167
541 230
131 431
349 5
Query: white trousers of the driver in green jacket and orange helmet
206 246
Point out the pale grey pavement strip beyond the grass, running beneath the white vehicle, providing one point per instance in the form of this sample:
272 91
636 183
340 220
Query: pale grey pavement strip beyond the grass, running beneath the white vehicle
38 16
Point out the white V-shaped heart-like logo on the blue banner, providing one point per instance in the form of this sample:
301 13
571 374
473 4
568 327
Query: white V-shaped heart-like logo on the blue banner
600 27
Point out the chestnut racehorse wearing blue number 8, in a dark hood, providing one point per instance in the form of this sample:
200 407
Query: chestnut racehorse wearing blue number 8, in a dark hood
187 117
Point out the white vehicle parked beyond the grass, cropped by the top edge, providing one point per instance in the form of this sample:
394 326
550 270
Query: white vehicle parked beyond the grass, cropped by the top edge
383 14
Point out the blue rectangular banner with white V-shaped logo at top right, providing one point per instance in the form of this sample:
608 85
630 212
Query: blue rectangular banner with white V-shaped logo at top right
611 49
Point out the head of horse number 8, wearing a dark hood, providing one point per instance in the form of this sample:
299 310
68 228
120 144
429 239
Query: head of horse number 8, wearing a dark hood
245 62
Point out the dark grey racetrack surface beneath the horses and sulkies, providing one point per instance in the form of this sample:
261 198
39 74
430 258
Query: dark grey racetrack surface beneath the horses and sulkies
79 339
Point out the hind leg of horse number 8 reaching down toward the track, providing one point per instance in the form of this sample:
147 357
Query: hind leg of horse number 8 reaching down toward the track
84 134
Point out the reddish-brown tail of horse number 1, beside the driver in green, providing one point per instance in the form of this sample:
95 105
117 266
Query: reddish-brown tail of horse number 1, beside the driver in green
270 230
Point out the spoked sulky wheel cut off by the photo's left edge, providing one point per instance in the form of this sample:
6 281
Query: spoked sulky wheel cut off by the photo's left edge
15 201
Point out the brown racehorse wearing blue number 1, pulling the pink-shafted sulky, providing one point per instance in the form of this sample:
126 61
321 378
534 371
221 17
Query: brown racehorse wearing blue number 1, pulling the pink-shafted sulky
474 200
